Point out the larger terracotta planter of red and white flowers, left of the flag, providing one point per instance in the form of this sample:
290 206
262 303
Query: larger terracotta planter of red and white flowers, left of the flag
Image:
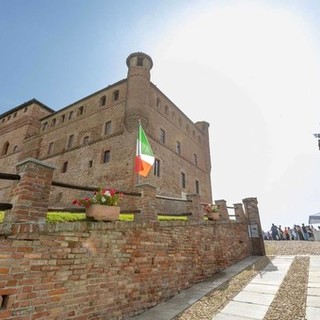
102 204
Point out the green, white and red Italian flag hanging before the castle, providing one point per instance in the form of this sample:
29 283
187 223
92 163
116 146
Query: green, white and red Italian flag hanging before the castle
144 156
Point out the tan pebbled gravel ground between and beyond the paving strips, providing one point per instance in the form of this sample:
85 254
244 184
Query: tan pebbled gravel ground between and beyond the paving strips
289 302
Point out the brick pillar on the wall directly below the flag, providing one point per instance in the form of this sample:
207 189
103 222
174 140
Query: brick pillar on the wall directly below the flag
148 204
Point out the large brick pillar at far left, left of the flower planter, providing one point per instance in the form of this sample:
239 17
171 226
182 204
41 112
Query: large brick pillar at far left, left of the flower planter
30 195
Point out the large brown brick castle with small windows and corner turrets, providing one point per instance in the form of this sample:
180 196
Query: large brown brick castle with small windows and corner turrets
93 140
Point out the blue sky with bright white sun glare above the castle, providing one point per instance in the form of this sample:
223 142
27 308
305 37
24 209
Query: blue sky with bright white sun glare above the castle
249 68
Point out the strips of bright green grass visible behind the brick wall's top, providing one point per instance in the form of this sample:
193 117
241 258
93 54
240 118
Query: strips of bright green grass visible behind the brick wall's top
56 217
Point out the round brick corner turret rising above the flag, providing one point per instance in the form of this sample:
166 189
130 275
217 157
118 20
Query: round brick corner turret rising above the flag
138 90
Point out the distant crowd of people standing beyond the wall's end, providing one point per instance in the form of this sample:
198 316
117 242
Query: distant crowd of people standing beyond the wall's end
296 233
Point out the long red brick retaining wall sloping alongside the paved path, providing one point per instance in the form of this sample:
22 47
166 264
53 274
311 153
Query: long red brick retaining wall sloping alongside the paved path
91 270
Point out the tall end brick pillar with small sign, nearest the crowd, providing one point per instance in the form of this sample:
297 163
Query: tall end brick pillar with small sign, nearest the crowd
254 224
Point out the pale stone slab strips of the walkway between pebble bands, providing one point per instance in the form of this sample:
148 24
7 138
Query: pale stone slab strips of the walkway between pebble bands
253 301
